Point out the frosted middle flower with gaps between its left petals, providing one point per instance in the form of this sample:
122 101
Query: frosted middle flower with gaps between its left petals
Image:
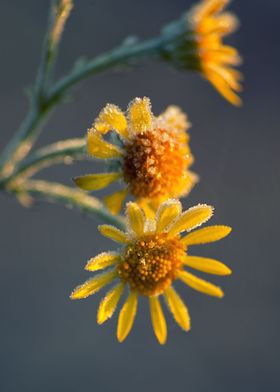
153 159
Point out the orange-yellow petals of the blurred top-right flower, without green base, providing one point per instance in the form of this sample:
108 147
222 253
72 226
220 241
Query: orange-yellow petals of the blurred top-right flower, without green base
210 25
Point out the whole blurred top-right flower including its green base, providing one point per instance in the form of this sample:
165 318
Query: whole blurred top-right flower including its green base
196 42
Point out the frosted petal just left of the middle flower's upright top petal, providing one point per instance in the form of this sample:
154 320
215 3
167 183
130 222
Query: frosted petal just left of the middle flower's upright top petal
111 118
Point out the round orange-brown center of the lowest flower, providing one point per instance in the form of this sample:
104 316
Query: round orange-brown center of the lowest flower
149 264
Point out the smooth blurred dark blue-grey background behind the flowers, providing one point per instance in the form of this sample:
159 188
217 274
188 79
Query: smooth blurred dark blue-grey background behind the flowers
49 343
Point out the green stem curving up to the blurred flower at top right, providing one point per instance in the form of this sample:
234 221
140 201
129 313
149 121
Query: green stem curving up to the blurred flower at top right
23 140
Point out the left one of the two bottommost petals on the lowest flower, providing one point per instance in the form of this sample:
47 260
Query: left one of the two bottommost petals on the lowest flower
127 316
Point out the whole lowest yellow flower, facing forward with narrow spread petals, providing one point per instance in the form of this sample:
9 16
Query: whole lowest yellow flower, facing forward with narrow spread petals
154 253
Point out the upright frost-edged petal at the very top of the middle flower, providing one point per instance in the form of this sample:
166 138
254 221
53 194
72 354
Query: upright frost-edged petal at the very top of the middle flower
140 115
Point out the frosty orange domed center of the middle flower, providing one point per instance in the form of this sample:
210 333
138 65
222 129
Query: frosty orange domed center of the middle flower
155 163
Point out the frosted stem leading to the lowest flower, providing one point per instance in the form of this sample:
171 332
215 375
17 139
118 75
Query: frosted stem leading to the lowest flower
72 198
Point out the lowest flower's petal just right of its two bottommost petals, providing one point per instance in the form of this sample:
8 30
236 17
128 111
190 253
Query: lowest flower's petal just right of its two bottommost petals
177 308
